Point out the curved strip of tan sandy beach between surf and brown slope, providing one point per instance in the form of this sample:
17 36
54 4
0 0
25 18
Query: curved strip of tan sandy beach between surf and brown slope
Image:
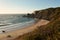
19 32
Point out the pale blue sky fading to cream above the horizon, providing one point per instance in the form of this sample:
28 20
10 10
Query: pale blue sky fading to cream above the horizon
26 6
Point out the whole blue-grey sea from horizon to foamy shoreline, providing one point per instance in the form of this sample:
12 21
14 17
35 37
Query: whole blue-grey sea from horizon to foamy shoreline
11 22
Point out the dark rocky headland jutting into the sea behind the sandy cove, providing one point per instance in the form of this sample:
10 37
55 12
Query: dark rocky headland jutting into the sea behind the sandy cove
47 14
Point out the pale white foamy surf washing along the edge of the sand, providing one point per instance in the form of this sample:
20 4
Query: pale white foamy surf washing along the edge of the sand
15 26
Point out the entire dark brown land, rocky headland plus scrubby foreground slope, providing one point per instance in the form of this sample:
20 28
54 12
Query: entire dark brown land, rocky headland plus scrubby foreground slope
51 31
